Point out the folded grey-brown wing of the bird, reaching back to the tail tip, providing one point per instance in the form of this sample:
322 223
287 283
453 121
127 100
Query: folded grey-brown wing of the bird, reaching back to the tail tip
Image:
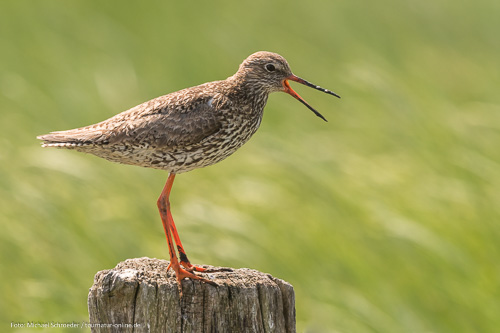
166 121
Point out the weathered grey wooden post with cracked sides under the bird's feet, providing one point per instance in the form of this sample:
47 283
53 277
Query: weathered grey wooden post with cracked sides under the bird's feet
139 295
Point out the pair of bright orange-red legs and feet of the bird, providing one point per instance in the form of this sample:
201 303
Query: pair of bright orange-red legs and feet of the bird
169 227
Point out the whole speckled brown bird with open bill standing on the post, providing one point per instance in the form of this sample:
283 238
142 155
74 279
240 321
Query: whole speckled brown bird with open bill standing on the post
185 130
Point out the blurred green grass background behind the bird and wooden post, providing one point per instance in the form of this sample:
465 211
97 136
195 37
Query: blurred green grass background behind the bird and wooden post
385 219
